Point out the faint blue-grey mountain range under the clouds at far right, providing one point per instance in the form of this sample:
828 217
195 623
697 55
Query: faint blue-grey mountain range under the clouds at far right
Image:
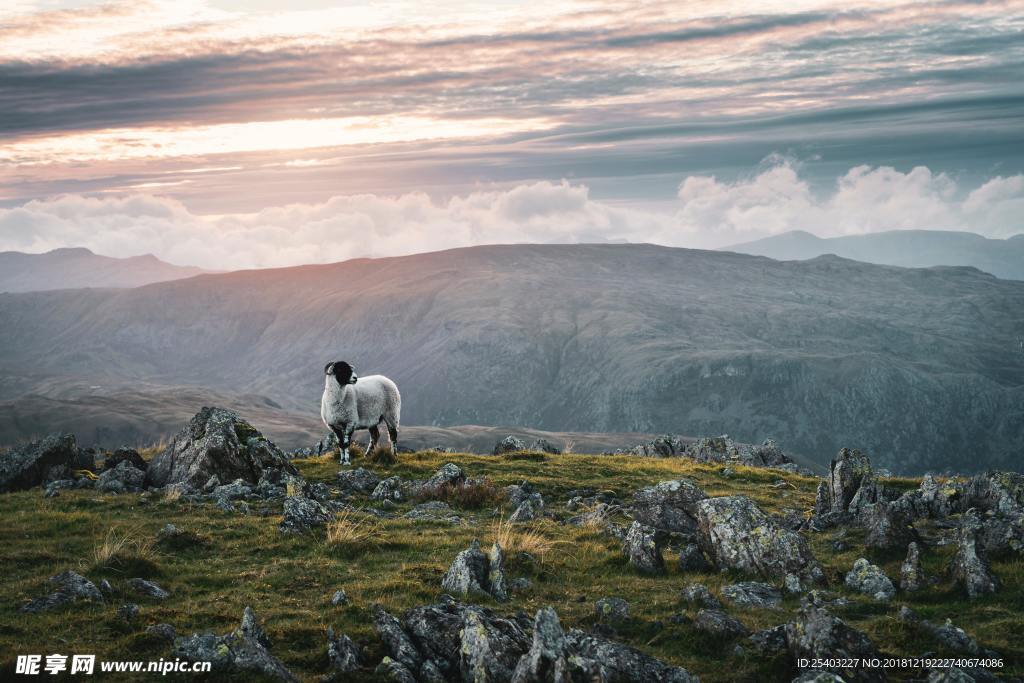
916 249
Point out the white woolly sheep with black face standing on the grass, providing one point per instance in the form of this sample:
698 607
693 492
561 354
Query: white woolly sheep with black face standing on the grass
353 403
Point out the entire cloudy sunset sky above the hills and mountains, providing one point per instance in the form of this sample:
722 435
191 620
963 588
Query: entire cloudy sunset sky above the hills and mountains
233 134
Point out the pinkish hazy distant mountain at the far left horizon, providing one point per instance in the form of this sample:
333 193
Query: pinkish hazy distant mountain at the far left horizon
72 269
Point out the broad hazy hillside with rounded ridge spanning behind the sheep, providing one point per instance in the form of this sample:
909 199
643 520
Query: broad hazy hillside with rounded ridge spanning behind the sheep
921 368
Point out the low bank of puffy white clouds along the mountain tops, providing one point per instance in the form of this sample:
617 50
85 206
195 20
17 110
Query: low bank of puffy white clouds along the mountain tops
709 214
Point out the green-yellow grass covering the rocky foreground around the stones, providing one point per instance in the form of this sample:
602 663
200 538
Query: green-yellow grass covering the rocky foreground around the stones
233 561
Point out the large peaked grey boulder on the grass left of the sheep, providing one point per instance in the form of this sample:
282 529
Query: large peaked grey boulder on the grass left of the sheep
217 443
